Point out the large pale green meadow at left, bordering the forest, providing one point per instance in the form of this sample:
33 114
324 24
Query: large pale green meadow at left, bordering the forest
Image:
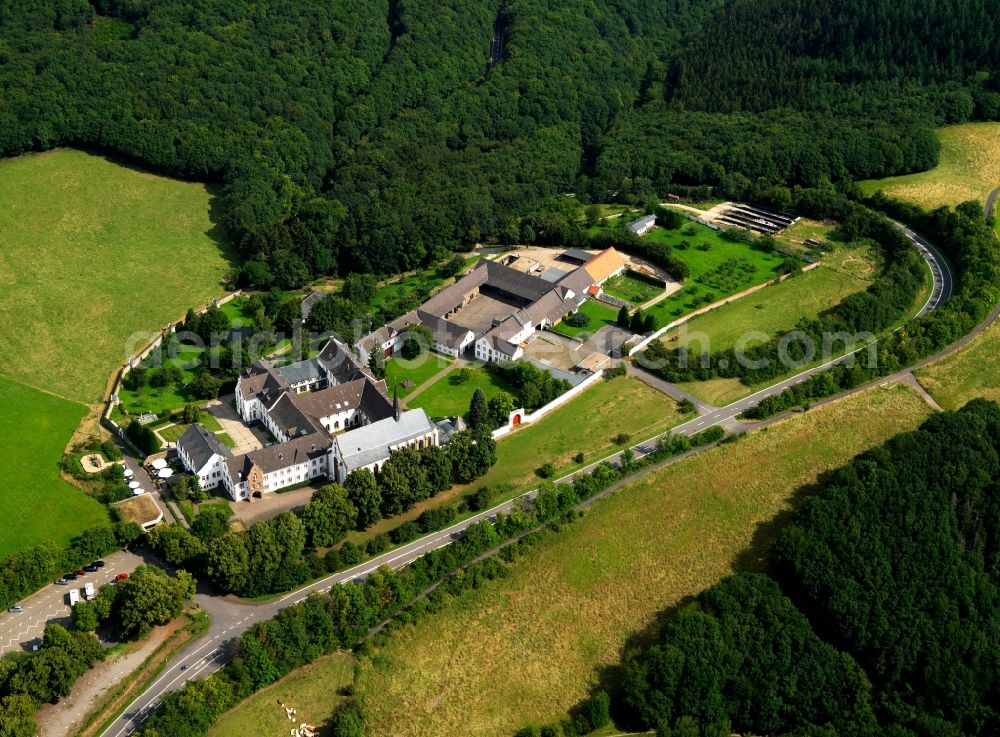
93 253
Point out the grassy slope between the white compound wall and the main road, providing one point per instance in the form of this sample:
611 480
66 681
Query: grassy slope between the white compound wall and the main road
604 410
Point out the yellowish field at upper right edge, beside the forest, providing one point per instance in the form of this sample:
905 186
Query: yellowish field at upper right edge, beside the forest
969 169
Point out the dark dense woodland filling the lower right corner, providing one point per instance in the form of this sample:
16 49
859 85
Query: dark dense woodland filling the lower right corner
886 620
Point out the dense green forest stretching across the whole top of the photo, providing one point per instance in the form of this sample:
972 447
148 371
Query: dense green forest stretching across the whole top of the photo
377 136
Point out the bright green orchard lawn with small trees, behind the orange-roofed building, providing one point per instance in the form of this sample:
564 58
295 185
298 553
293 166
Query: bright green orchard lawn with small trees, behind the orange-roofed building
703 263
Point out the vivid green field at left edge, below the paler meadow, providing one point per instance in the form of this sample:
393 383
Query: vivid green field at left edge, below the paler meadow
36 505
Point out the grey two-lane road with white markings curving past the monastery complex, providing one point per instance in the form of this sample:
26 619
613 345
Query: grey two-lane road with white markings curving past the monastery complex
231 617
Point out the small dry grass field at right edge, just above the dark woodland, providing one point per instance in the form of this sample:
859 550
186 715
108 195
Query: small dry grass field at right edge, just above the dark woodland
973 371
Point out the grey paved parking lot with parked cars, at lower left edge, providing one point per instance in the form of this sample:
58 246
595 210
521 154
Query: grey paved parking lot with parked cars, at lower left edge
19 630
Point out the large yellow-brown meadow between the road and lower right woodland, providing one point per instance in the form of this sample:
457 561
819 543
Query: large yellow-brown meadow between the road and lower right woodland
527 647
